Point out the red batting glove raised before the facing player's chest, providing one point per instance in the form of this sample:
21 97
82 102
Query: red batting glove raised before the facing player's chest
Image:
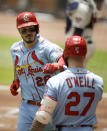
52 68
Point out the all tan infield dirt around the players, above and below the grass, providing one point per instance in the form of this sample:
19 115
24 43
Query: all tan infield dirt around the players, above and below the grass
54 31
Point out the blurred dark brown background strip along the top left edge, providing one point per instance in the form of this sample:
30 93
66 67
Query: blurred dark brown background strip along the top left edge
56 7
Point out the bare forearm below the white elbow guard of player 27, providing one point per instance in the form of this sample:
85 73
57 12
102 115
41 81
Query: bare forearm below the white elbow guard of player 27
37 126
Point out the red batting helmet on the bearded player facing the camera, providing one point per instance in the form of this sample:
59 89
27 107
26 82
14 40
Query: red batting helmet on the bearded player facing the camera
26 19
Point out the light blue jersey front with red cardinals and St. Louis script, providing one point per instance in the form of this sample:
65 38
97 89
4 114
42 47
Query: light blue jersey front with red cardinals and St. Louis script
29 64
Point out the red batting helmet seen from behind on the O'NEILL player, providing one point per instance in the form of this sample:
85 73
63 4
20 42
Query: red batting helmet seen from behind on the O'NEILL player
75 46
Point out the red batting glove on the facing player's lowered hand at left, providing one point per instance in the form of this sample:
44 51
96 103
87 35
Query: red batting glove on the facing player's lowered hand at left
13 88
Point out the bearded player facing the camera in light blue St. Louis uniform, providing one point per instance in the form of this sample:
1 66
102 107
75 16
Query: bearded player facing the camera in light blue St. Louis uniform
29 58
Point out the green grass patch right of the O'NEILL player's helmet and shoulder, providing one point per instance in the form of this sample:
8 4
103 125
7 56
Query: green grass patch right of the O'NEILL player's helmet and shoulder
98 65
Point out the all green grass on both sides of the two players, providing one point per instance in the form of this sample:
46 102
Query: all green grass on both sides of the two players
97 64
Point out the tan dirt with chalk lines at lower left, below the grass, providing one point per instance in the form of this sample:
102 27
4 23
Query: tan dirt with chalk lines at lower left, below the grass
8 111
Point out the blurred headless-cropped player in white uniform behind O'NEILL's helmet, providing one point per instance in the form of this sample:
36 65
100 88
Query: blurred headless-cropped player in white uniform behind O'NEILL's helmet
81 15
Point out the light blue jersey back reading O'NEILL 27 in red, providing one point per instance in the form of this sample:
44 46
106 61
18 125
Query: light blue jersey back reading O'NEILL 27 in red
77 92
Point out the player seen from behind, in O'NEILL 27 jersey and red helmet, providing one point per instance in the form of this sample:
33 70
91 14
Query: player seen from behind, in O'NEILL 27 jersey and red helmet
71 97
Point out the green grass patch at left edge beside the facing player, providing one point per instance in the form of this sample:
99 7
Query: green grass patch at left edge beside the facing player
6 66
